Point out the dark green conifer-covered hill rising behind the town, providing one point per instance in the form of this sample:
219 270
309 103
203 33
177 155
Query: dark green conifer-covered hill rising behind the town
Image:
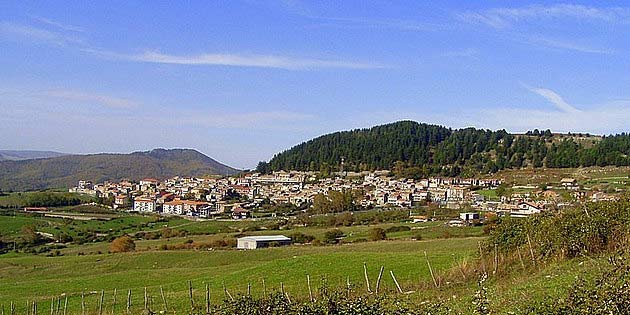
423 149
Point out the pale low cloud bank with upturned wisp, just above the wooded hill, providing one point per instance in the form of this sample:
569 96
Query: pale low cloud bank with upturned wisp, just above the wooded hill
600 118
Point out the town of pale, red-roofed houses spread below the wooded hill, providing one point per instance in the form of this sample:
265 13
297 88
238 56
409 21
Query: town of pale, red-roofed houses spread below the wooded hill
239 197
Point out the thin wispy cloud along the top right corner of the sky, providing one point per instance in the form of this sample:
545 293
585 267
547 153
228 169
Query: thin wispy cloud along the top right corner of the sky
506 17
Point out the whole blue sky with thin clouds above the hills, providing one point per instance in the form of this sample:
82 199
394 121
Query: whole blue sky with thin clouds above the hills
241 81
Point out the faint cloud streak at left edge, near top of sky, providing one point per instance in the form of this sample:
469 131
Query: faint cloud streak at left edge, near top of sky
20 32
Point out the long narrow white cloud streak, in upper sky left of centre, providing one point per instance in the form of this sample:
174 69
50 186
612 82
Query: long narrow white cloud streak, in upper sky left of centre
237 60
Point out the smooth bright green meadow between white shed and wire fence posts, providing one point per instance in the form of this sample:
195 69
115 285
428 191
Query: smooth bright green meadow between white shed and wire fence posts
40 278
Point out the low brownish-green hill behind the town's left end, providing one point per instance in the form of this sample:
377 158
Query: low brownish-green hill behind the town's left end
66 171
